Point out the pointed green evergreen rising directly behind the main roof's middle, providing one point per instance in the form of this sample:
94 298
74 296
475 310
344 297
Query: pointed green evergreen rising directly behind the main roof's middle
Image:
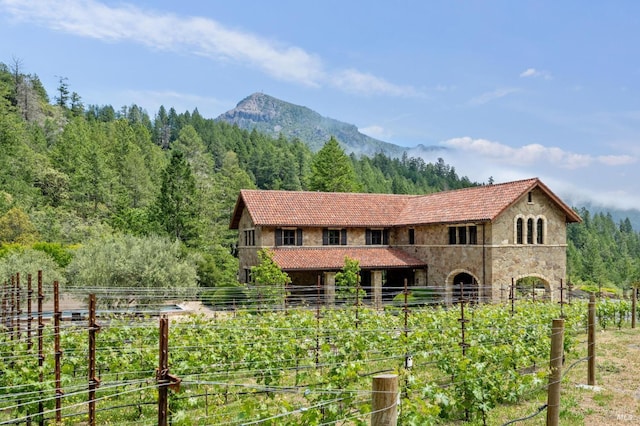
332 170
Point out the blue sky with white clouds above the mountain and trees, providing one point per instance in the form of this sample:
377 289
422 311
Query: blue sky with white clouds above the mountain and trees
515 89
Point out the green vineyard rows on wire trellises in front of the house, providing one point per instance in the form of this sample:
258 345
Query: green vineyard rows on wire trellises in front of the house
298 365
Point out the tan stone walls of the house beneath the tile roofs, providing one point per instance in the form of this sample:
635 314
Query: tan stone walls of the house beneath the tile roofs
526 239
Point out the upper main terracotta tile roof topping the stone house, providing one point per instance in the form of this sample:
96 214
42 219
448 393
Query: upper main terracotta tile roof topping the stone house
327 209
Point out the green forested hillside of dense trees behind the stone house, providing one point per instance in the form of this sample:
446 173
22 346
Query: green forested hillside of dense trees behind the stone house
76 179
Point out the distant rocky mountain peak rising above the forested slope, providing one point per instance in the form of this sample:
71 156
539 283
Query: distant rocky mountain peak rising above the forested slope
273 117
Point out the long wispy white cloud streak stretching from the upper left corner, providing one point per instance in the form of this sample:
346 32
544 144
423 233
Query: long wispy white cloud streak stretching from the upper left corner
197 36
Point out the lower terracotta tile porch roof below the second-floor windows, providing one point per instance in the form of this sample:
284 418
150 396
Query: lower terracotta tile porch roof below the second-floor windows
298 258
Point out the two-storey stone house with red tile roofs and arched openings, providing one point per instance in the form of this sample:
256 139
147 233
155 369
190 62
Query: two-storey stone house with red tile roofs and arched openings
470 242
